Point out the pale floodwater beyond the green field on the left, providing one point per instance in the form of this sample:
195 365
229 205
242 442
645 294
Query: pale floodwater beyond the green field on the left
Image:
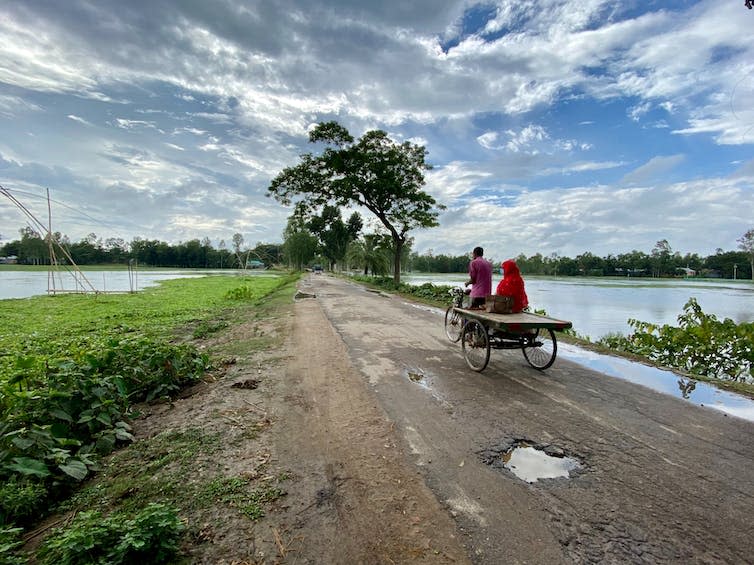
23 284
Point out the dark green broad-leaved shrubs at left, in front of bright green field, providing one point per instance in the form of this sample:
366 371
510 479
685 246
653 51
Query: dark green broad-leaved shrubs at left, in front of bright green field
54 424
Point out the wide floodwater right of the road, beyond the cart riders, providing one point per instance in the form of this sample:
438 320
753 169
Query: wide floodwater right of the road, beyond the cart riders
599 306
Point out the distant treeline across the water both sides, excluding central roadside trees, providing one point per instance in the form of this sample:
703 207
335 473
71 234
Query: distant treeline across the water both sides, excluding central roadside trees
32 249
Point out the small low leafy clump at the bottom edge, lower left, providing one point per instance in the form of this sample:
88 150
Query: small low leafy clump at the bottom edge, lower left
150 537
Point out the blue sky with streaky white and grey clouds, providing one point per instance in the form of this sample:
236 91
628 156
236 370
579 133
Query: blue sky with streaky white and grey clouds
553 126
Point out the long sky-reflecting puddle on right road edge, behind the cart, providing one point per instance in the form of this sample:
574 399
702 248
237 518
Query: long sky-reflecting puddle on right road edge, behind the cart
697 392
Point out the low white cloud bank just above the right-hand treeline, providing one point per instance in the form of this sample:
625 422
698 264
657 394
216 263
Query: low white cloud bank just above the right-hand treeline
599 219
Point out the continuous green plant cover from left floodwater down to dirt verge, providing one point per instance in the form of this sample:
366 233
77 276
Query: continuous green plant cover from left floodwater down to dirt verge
72 368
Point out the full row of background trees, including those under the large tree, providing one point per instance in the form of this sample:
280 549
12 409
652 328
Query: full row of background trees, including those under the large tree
325 238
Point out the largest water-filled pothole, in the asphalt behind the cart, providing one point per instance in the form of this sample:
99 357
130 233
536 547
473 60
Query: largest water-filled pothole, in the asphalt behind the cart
530 461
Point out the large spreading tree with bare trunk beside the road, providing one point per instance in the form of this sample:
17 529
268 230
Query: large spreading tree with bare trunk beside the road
375 172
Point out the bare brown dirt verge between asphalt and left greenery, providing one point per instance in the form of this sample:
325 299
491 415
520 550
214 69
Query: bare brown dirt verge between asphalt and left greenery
298 415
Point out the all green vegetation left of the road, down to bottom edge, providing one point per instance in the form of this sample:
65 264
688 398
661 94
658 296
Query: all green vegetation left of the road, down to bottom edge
72 369
